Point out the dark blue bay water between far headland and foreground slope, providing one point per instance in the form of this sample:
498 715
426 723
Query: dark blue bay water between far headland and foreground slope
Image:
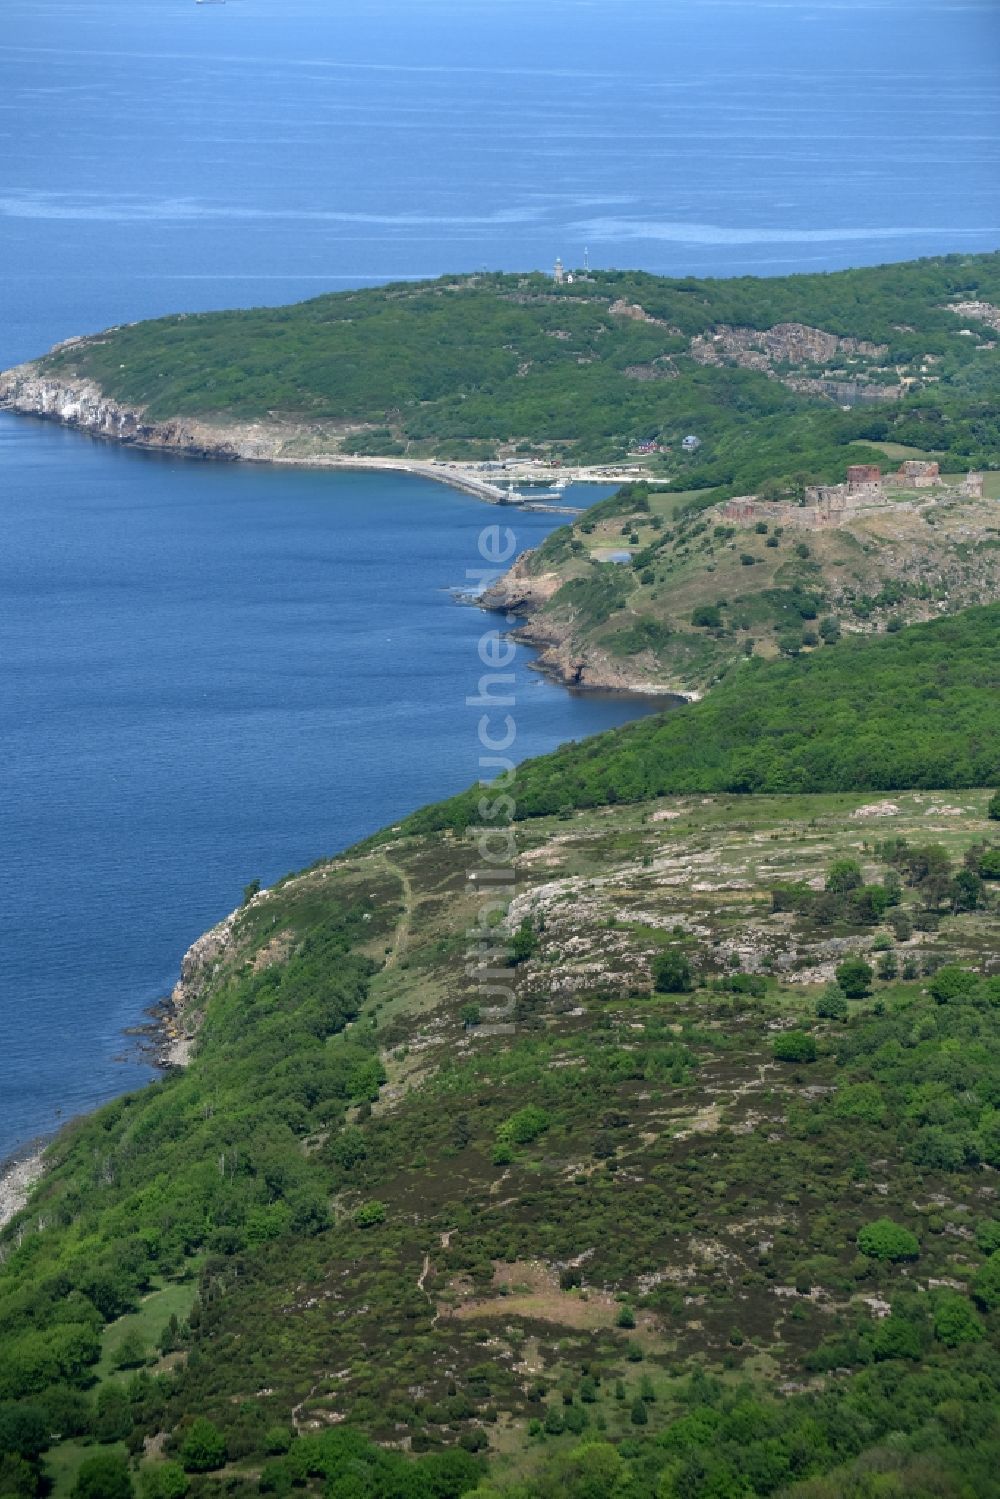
211 674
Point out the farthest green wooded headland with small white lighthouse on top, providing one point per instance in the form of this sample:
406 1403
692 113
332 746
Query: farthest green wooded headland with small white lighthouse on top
478 365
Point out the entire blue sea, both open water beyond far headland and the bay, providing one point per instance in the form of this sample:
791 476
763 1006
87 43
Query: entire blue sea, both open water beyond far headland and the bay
211 674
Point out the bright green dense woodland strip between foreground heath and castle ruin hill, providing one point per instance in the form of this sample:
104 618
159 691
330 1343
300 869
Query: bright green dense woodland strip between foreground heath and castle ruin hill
909 710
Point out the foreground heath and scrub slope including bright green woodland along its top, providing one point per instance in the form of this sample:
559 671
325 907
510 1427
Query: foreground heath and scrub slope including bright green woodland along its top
711 1215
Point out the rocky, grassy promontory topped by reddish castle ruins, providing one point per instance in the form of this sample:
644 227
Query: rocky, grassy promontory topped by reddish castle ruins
653 587
